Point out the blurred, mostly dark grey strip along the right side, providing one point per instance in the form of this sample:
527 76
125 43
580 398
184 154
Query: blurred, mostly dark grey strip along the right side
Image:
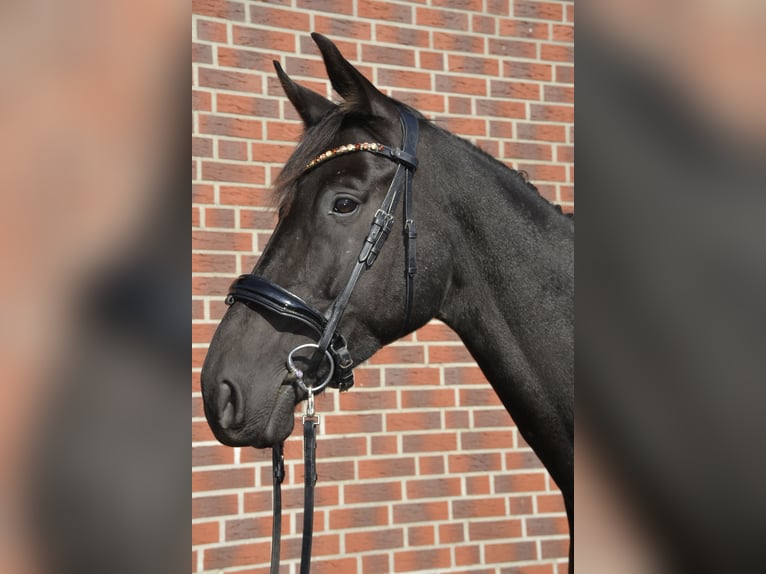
670 286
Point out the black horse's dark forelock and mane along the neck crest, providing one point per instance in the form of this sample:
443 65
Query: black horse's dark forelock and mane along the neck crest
322 135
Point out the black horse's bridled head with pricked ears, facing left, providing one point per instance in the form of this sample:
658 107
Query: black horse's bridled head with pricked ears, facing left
328 197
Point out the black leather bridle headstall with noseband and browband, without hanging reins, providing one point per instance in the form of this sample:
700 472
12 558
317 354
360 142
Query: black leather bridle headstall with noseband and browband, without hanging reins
261 293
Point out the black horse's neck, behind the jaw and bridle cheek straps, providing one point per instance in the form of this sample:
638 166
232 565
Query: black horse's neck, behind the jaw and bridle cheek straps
511 288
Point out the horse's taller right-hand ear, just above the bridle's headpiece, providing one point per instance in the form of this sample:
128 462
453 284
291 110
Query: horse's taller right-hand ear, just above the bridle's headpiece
358 91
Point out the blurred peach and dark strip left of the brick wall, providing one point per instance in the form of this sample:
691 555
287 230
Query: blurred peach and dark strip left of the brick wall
94 308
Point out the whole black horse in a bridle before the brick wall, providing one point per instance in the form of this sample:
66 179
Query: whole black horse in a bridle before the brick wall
495 262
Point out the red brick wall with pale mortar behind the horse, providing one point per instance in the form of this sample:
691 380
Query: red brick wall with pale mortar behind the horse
421 468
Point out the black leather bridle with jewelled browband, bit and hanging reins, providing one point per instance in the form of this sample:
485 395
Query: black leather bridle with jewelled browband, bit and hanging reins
261 293
